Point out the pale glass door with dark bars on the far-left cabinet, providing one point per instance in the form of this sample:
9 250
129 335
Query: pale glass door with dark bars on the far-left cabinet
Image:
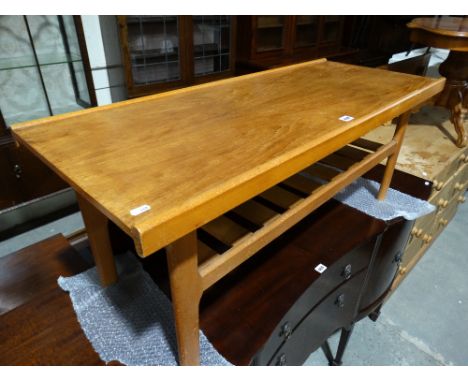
41 68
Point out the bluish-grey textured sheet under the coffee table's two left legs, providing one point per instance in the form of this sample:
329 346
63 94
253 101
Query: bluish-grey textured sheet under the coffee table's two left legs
132 320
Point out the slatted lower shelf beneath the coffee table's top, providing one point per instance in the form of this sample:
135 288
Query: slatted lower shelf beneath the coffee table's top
230 239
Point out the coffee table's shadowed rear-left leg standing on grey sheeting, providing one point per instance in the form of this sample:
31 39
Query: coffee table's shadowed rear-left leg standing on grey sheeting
96 225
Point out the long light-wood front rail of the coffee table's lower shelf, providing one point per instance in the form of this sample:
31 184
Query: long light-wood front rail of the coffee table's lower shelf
214 269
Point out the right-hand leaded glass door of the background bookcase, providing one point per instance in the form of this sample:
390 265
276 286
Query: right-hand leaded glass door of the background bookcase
211 44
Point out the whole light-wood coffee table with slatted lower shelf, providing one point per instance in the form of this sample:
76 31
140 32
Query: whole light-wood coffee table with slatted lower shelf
164 166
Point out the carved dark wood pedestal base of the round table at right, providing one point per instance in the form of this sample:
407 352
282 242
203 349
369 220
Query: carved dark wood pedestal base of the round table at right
455 94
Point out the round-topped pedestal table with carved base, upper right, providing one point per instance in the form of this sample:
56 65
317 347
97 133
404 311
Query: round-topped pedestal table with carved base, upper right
448 33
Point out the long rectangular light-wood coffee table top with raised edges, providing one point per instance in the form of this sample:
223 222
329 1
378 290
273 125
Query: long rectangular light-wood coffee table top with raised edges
160 166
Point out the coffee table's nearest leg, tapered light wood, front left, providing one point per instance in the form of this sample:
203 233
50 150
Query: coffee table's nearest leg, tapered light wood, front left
186 291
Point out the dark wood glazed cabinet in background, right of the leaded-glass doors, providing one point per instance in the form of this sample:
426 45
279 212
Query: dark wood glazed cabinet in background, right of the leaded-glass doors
267 41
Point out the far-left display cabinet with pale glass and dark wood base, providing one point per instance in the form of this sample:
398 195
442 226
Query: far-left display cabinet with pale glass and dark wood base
44 71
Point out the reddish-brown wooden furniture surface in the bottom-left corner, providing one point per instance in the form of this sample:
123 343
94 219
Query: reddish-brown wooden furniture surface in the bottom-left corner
43 329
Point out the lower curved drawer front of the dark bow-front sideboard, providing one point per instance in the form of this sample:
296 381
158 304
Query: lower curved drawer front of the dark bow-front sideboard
334 312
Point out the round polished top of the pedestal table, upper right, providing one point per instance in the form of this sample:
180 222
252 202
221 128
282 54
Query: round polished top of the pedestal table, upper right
445 25
